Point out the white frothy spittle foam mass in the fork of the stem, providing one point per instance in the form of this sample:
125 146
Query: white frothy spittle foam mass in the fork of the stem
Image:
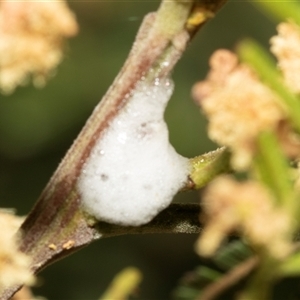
133 171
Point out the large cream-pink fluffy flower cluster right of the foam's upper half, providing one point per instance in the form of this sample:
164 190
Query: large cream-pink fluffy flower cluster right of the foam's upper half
238 106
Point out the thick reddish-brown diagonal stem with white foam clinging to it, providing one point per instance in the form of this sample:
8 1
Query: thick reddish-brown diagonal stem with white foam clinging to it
57 226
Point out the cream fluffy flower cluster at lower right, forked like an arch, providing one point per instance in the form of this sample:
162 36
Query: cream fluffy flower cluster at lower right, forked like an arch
244 207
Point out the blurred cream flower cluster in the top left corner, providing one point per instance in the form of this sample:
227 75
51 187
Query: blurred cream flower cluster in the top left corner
31 44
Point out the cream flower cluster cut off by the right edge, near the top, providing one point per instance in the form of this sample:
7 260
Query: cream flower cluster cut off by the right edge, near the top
286 47
